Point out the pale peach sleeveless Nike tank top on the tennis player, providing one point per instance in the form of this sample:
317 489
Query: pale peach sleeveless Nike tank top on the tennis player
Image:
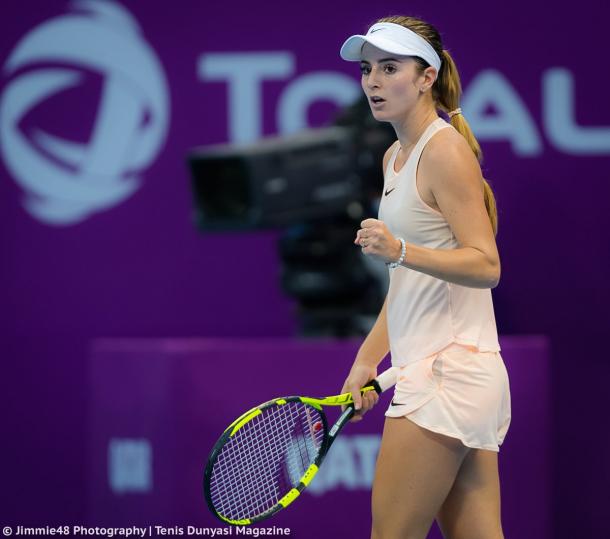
426 314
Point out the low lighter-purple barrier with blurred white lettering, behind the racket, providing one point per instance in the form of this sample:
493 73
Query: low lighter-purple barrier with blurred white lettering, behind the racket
155 417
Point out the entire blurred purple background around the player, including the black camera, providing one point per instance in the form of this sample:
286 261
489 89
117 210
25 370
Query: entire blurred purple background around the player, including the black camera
136 295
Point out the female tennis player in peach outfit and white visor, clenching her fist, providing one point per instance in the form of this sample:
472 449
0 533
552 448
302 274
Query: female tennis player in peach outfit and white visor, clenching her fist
436 231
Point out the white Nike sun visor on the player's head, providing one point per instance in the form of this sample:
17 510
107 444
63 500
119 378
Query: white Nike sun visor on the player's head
393 38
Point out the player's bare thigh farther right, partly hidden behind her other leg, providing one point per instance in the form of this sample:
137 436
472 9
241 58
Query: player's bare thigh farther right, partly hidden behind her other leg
472 508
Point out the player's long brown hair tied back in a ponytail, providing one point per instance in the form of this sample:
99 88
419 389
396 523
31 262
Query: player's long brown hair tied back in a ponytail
446 93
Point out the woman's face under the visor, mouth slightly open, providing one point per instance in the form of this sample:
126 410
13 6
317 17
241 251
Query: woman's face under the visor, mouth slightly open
392 78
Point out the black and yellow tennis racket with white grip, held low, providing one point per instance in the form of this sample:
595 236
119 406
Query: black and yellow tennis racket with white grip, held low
267 456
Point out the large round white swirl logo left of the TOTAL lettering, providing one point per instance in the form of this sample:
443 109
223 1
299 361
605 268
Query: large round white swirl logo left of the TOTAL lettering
64 181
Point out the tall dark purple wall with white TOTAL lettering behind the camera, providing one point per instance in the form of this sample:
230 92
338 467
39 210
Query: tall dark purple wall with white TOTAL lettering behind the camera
97 238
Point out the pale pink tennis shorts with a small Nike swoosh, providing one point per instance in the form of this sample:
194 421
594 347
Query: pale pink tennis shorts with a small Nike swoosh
458 392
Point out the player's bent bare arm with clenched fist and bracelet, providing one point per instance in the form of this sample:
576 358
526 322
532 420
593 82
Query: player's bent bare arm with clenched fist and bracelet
457 185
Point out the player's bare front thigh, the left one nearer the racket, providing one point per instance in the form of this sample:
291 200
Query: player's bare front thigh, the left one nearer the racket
415 471
